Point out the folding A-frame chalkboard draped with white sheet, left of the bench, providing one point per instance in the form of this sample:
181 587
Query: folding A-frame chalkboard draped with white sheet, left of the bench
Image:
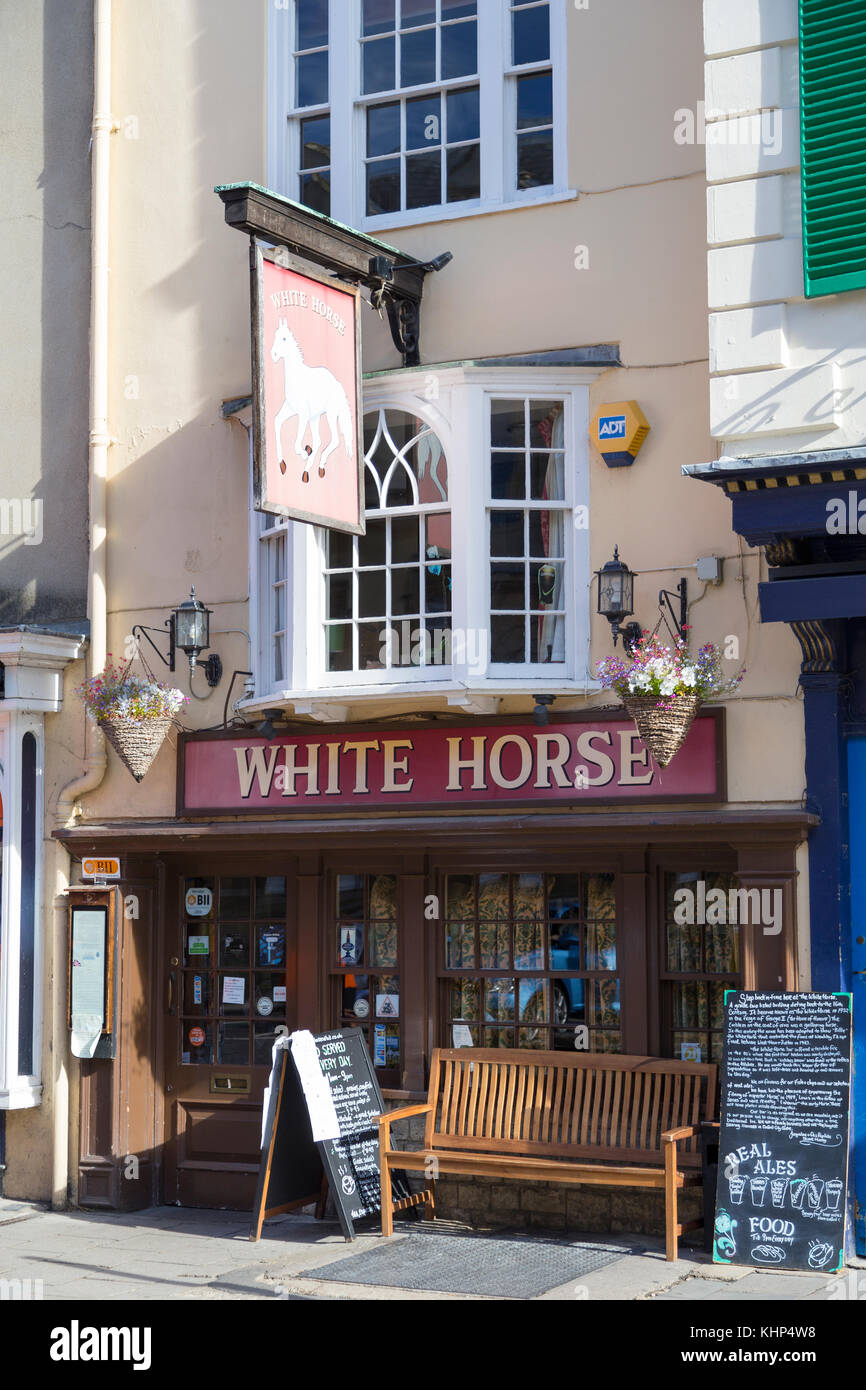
294 1160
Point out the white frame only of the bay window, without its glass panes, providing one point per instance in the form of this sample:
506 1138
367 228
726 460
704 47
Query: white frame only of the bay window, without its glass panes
455 402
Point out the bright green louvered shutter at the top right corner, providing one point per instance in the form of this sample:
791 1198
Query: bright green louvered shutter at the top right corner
833 133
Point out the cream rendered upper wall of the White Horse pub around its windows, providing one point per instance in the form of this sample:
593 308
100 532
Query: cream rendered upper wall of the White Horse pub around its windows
191 77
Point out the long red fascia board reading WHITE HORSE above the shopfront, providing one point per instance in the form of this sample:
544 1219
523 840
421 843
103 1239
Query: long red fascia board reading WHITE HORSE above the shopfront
572 762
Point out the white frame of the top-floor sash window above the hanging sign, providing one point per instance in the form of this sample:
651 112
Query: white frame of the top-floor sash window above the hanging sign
497 77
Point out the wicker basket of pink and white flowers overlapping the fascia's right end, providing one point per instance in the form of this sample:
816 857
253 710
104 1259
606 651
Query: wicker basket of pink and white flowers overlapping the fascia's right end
664 687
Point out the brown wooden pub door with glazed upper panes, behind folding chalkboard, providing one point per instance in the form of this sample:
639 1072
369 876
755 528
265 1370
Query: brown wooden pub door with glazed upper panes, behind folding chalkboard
229 957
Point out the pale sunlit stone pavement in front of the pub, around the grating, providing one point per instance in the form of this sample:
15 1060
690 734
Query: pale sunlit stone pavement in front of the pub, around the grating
172 1253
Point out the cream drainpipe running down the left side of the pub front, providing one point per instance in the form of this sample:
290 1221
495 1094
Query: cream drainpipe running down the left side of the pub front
99 441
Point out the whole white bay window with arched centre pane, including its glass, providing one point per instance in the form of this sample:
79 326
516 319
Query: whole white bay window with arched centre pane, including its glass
475 568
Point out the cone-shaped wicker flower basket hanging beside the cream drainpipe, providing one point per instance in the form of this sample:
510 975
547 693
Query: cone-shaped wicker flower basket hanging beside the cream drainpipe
134 714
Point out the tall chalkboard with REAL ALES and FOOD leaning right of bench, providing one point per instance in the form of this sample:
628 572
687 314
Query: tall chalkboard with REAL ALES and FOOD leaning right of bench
783 1143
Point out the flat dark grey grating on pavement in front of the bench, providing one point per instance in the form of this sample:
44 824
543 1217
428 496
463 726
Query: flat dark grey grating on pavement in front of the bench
514 1267
